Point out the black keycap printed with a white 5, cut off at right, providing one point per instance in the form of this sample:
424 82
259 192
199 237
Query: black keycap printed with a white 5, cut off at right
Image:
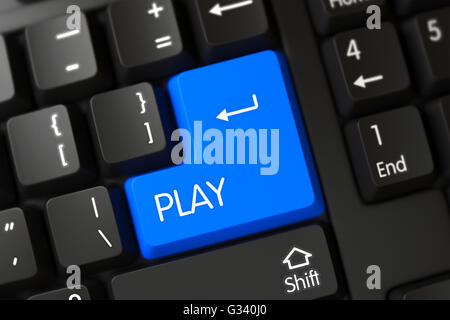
428 39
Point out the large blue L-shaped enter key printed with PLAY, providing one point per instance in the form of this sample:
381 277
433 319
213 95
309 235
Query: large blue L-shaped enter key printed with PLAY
229 185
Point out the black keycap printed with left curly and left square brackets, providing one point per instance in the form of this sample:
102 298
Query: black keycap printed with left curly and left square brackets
44 152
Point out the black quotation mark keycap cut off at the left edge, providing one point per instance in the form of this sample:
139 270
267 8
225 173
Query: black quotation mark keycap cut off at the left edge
17 261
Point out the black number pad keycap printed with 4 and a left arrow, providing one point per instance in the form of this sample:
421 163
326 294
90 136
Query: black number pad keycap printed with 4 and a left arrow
364 80
